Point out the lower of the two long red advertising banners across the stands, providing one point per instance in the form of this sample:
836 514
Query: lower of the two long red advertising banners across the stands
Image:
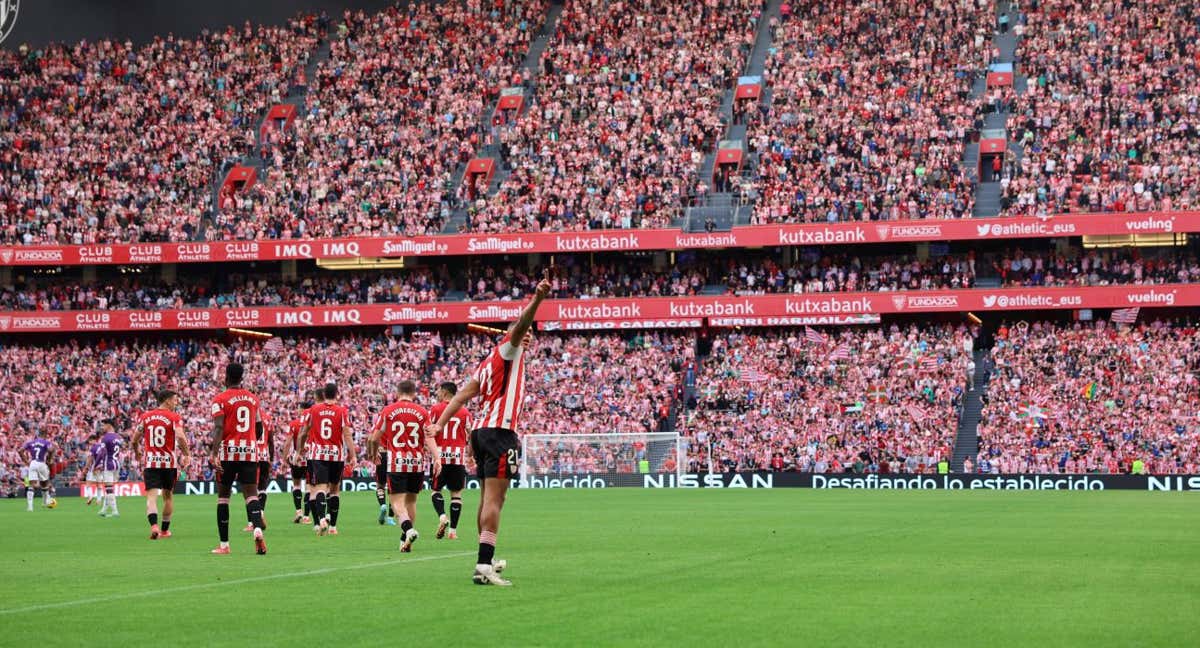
621 314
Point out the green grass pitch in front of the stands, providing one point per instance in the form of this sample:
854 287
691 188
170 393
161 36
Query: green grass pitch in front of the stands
627 568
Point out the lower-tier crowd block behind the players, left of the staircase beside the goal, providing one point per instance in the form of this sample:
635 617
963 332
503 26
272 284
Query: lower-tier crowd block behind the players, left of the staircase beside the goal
65 391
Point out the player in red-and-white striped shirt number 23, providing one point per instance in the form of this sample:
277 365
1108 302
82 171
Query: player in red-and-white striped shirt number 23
400 433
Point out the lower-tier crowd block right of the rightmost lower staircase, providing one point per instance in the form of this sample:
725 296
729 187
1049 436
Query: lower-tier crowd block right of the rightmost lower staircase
1093 399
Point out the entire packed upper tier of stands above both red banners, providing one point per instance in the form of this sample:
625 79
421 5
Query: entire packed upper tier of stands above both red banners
867 113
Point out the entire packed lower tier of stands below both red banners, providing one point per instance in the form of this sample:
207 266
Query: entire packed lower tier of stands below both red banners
1094 398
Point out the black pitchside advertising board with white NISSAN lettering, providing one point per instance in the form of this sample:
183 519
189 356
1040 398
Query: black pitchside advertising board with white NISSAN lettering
957 482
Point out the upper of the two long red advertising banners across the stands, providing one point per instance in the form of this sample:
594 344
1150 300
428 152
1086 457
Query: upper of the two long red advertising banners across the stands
610 241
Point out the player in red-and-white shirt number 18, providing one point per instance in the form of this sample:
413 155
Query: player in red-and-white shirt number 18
163 447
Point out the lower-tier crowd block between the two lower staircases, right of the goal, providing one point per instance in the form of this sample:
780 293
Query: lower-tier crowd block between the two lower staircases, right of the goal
862 400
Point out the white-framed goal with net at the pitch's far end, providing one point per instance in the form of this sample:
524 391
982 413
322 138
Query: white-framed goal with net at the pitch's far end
619 459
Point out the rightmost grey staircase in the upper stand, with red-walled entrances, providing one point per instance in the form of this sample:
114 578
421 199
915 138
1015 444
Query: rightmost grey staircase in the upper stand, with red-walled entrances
988 194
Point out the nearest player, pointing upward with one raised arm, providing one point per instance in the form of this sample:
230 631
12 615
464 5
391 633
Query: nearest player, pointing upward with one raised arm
500 380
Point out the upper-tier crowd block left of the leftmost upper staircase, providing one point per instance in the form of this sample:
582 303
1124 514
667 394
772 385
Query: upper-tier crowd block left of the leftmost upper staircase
107 142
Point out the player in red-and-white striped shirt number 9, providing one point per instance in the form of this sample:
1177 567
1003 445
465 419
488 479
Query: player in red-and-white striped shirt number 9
235 455
